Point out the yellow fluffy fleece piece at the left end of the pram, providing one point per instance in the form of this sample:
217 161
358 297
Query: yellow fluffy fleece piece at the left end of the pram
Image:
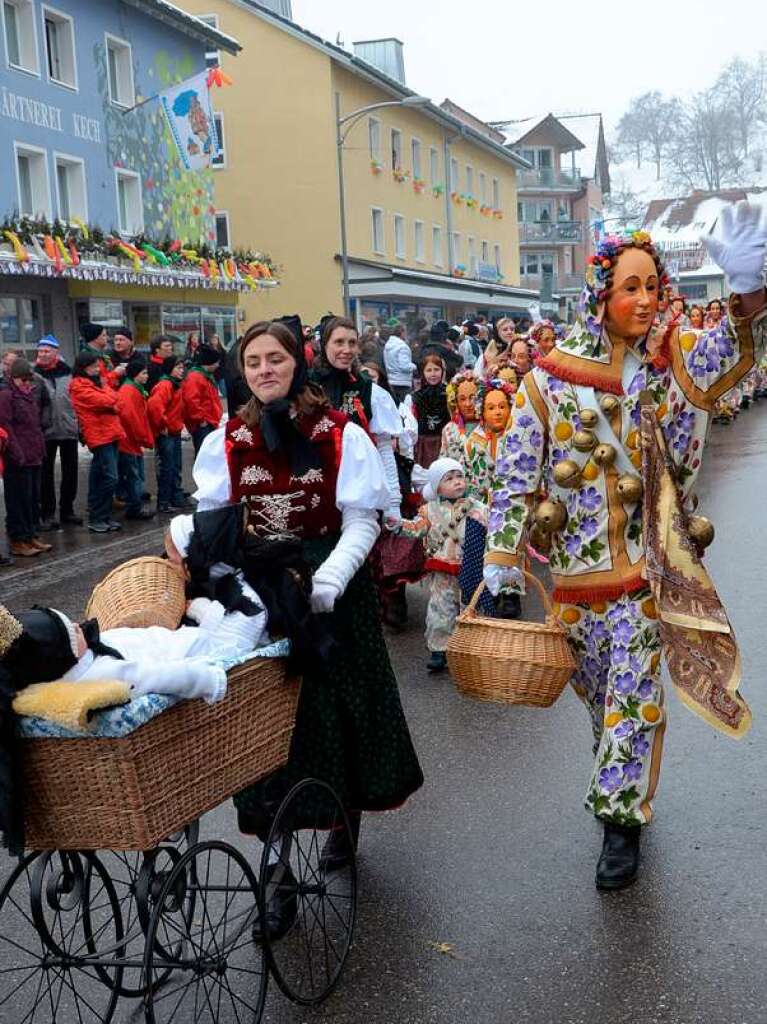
71 704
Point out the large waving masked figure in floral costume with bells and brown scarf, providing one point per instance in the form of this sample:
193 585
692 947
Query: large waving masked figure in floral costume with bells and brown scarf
582 422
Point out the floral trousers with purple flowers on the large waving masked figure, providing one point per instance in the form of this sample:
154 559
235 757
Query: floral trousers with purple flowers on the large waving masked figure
619 680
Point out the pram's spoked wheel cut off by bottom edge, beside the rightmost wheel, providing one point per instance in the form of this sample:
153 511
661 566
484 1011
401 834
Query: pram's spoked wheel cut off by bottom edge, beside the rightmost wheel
205 967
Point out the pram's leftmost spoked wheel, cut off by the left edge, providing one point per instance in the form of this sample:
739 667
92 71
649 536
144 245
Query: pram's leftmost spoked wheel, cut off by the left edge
54 909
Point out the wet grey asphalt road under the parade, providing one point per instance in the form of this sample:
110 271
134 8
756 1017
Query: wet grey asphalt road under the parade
495 857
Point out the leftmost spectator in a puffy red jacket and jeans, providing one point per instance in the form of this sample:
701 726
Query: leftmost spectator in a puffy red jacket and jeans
96 407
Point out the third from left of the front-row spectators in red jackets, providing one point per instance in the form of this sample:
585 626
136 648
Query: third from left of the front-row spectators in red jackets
165 409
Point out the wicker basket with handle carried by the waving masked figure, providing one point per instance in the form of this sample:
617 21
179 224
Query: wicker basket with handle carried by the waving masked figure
510 662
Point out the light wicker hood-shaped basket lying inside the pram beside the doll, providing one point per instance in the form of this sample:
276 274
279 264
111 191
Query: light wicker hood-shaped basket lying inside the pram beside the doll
147 591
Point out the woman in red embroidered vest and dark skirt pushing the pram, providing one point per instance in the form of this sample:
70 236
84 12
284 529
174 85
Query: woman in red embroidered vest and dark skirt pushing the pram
305 471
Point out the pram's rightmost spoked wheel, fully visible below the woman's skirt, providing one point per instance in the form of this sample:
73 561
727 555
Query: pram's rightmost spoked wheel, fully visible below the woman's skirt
309 960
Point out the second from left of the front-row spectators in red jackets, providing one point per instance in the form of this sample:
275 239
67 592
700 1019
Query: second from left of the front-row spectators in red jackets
132 407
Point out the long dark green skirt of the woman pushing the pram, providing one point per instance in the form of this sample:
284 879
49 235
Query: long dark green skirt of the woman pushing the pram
351 728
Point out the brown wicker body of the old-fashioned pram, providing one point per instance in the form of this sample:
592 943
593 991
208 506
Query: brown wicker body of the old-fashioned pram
130 794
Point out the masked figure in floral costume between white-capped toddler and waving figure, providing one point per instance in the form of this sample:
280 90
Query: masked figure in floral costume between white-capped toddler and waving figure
495 401
